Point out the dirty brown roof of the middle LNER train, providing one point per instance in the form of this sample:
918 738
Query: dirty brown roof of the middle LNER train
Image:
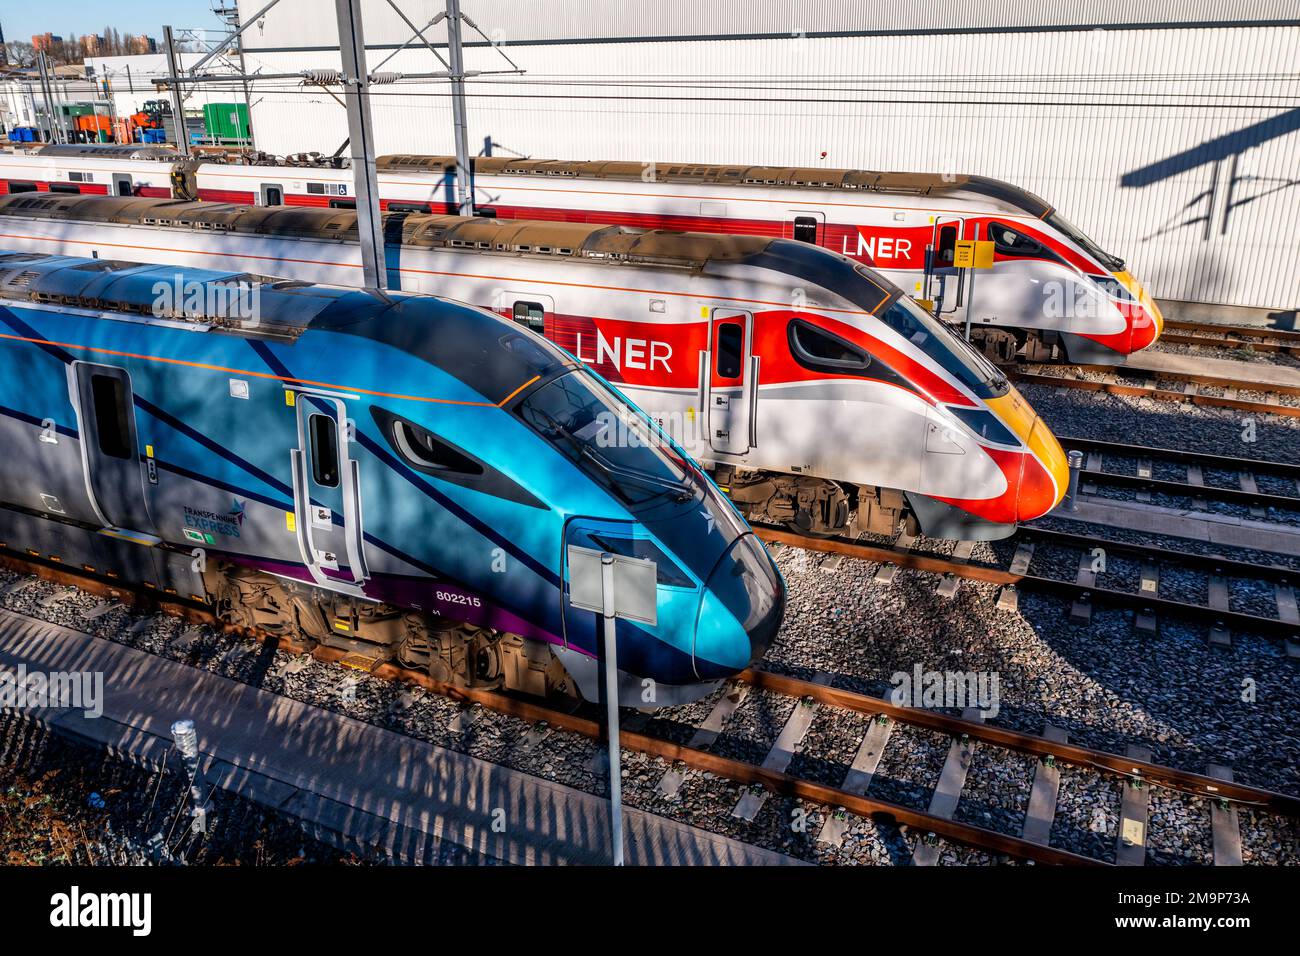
525 237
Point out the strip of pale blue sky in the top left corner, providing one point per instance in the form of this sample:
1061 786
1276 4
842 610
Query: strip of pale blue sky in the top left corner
21 19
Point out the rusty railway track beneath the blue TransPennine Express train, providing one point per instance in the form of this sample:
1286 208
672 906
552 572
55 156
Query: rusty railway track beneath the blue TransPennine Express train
1134 771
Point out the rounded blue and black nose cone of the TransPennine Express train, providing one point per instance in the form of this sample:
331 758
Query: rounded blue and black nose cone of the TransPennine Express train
742 611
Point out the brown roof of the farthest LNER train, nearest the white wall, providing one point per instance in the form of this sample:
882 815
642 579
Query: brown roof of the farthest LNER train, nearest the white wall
718 175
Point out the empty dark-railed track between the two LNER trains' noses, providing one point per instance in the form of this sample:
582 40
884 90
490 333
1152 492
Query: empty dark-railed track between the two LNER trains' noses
1194 477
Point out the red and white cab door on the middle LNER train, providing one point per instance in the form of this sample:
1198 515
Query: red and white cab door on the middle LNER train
730 383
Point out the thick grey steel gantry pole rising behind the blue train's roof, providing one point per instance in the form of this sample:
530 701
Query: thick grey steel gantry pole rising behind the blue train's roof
357 89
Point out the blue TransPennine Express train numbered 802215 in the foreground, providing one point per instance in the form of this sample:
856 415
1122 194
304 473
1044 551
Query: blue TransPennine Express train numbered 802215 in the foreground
397 475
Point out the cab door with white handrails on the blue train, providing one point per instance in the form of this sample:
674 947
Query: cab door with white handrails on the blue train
328 496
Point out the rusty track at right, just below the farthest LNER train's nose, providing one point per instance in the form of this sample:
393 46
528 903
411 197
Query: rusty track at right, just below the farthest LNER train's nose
1208 391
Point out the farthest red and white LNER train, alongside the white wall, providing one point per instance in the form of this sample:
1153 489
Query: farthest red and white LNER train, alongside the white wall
1051 291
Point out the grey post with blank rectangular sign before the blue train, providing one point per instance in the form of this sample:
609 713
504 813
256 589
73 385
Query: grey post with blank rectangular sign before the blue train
614 587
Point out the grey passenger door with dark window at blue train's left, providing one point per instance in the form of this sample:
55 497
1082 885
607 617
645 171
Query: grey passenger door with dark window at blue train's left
111 455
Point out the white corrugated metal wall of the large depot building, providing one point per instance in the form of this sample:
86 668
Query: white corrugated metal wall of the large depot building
1177 149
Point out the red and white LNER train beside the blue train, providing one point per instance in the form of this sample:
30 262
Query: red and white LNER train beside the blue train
820 393
